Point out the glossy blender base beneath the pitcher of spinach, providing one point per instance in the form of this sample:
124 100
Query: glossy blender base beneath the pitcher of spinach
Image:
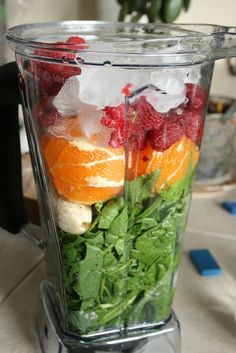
165 339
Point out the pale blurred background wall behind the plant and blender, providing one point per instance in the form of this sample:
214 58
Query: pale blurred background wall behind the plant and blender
201 11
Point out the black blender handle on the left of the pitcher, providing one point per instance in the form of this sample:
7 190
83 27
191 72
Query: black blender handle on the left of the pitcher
13 216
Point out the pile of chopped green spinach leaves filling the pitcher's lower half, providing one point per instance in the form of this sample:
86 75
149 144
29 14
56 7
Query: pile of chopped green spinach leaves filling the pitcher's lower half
120 272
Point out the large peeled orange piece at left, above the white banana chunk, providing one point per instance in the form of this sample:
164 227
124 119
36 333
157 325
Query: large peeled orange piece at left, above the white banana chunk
82 171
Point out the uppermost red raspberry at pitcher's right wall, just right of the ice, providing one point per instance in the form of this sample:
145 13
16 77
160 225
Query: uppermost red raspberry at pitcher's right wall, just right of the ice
197 98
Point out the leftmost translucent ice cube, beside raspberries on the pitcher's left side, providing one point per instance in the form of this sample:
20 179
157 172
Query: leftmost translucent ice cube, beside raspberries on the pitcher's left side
67 101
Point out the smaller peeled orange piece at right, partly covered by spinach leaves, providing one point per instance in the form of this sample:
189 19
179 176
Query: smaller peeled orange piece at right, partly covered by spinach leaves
174 162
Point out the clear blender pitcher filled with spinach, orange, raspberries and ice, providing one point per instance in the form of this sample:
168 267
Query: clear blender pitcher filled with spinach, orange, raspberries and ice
114 116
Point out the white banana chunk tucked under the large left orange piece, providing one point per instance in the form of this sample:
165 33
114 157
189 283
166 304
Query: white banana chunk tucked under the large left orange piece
73 217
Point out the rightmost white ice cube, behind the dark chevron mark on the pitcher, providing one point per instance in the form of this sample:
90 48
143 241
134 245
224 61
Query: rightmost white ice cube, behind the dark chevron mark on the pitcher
172 85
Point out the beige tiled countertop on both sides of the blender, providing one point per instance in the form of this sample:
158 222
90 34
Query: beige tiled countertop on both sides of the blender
205 306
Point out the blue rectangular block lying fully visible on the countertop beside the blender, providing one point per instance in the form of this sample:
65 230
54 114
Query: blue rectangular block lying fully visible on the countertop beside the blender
204 262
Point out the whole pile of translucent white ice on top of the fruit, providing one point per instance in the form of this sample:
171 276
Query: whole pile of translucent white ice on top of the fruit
97 87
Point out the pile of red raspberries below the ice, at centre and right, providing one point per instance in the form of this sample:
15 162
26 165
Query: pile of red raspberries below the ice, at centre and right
139 124
